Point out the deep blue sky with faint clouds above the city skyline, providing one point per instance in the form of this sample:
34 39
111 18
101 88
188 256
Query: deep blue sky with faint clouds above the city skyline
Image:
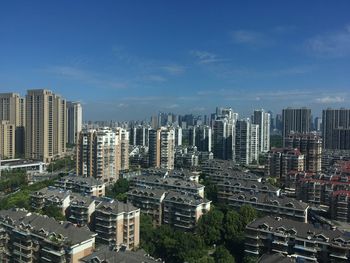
129 59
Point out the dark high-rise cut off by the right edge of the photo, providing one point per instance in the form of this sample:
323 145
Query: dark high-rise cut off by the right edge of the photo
336 129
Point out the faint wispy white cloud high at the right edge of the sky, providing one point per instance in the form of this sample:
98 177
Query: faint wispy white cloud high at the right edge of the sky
335 44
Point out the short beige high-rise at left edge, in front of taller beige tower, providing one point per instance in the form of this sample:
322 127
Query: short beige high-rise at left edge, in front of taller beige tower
7 140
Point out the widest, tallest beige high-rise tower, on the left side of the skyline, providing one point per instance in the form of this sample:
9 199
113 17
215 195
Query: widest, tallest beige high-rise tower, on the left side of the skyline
46 125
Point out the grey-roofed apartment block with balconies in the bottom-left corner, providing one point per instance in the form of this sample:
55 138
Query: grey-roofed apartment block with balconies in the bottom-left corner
27 237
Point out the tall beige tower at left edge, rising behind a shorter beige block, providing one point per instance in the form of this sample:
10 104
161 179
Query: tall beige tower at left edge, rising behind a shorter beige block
12 109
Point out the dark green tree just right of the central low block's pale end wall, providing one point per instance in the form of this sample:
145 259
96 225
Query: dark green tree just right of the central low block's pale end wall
210 226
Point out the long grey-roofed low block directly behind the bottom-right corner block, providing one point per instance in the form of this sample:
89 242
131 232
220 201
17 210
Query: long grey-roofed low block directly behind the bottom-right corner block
282 206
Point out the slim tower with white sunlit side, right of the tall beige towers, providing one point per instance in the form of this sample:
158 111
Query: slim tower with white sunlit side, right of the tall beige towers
75 121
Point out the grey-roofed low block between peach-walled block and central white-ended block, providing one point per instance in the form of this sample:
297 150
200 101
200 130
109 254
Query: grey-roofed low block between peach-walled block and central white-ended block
149 201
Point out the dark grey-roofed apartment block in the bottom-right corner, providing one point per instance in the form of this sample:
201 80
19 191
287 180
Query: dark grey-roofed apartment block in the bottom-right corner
300 240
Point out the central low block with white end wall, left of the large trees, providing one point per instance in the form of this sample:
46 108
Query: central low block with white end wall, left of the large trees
183 211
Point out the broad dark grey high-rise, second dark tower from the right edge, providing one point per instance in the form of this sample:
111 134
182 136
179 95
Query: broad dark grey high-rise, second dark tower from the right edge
296 120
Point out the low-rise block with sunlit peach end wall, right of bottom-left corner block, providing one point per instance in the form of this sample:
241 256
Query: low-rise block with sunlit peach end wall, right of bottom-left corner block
117 224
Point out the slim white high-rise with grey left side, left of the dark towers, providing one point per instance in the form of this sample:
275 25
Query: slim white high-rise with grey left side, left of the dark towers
262 118
